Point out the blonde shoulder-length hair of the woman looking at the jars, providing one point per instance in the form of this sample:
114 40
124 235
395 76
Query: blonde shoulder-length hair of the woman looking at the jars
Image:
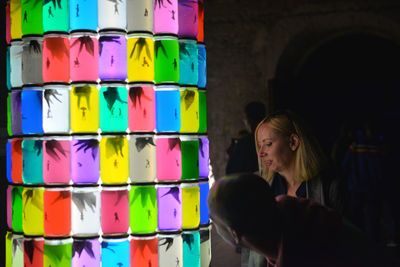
309 157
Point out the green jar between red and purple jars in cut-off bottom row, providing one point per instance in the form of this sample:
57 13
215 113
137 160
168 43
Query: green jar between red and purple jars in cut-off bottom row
57 252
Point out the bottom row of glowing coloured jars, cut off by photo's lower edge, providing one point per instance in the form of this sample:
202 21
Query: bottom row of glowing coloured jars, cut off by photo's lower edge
187 248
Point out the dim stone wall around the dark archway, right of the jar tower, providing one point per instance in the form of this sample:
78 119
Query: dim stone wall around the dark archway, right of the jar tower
251 43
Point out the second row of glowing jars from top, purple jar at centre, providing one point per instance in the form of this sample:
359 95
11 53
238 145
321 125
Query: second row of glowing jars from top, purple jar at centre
85 57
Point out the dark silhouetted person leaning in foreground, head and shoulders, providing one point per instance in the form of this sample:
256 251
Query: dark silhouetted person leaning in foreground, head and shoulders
287 231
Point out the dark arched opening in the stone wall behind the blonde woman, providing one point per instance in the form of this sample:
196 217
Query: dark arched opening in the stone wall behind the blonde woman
348 78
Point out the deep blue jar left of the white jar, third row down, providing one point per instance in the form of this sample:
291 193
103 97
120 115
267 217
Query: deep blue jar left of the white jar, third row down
31 110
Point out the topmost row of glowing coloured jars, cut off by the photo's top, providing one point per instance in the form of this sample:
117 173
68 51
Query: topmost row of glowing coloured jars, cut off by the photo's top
181 17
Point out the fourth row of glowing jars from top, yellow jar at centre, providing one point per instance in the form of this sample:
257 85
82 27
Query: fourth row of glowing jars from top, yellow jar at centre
113 159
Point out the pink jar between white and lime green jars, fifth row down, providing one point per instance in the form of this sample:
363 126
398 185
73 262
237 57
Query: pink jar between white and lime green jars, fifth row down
114 210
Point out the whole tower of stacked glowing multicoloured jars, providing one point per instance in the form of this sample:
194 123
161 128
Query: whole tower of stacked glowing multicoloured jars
108 157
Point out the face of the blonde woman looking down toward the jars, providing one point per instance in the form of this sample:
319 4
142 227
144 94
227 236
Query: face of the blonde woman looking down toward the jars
275 151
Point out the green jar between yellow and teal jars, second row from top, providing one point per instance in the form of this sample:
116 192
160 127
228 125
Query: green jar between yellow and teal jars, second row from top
166 62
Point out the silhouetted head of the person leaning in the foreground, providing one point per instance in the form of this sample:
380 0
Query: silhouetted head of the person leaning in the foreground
242 207
